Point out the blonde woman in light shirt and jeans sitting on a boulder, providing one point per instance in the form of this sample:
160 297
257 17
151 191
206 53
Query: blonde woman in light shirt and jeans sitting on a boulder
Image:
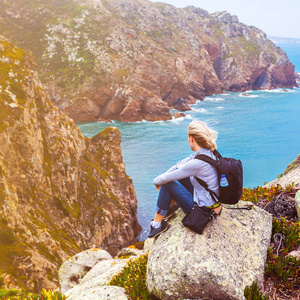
178 187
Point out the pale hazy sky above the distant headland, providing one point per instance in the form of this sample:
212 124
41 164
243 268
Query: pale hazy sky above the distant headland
274 17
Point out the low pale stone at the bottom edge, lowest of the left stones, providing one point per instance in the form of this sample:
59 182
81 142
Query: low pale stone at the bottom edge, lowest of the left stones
101 293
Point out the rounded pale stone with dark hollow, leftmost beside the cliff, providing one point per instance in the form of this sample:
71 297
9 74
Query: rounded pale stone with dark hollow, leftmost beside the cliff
76 267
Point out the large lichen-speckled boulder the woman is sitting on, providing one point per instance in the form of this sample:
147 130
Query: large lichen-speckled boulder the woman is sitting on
230 255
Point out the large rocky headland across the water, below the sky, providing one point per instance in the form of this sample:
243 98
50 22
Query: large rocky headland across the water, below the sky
133 59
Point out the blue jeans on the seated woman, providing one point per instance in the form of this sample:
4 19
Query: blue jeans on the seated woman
181 191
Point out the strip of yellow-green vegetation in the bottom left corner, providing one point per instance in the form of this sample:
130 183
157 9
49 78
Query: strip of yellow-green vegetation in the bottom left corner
15 294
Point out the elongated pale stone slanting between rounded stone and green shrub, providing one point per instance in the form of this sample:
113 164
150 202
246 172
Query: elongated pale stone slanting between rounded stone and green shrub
99 275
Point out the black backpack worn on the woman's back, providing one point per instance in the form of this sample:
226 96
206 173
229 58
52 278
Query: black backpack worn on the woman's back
233 170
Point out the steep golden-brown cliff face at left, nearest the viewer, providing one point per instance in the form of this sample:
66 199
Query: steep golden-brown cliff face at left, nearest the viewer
60 192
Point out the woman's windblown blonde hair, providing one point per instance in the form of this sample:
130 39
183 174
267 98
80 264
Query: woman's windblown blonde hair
204 136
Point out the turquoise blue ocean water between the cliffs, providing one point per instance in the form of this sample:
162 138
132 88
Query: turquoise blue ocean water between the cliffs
262 130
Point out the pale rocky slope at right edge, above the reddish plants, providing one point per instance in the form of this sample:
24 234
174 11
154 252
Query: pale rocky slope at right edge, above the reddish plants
291 175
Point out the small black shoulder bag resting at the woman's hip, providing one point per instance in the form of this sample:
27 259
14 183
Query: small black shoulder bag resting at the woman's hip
197 218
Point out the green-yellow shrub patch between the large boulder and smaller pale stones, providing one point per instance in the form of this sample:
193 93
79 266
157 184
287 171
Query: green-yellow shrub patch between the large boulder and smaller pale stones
133 278
